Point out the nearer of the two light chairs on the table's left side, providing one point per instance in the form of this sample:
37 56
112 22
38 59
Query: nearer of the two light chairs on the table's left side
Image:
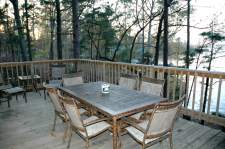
88 128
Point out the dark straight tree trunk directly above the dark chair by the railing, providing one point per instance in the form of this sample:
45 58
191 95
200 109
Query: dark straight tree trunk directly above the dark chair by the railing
59 29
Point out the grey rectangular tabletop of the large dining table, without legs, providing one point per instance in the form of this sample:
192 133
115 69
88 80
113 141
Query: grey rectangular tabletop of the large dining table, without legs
119 101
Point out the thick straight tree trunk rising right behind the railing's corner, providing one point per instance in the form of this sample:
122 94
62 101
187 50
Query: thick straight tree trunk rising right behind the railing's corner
76 29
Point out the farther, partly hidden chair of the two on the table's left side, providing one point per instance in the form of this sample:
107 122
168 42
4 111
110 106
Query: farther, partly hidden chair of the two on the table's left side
58 108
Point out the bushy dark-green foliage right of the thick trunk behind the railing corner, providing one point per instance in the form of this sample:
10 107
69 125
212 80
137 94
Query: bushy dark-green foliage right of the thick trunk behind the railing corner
97 29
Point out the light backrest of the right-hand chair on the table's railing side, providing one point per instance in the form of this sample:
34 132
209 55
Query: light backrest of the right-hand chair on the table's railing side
151 86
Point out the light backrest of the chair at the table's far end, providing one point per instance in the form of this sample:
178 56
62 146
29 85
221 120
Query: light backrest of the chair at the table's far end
72 79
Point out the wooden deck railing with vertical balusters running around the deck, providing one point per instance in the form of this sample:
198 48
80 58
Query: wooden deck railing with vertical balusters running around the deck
94 70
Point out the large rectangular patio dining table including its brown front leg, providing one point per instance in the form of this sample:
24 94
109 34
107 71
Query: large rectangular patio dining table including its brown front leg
120 102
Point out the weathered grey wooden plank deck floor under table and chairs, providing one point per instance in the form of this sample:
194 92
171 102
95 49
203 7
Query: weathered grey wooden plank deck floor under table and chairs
27 126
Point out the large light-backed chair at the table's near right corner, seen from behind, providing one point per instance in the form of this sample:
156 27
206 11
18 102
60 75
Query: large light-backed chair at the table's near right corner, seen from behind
158 126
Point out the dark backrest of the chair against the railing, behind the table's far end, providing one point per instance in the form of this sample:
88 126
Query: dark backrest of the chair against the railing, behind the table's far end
58 71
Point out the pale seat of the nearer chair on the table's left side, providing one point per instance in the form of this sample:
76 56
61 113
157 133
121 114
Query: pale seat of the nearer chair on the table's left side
94 129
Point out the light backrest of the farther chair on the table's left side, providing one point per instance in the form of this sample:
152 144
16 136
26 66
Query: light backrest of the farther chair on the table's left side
55 99
